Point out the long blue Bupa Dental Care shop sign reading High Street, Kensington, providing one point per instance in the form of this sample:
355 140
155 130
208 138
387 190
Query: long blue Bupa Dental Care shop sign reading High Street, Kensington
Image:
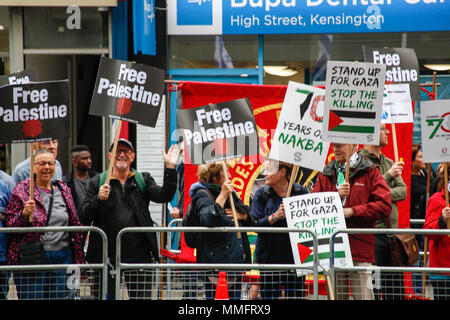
314 16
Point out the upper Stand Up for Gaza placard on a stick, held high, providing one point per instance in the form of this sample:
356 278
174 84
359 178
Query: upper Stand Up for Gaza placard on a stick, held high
353 103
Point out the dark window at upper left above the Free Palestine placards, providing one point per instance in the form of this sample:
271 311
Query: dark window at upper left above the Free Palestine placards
54 27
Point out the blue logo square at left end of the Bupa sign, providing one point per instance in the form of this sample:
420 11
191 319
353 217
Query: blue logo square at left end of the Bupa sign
194 12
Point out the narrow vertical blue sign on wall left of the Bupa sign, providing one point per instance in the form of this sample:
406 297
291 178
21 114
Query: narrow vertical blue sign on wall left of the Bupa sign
144 27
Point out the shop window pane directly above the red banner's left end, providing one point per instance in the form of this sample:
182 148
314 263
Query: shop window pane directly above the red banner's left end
210 52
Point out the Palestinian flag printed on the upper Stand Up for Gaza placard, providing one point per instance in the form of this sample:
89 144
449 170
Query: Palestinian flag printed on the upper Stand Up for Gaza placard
351 121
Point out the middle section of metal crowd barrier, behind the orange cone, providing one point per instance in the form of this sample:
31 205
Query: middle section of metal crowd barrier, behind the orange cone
175 281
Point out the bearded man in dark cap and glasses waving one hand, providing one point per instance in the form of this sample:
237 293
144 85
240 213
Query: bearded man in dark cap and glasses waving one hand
122 203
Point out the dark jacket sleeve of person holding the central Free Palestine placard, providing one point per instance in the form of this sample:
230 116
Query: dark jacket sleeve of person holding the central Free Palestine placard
210 214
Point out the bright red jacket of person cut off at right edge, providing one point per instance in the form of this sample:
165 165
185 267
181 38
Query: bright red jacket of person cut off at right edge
439 243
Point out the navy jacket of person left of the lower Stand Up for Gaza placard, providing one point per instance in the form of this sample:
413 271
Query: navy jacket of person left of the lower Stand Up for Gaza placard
272 247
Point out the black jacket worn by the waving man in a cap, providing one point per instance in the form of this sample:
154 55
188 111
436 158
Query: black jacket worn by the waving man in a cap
98 213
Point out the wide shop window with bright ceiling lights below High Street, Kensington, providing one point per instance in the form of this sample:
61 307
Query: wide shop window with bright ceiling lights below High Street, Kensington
302 58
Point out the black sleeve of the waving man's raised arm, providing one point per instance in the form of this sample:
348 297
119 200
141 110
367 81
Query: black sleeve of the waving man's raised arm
164 193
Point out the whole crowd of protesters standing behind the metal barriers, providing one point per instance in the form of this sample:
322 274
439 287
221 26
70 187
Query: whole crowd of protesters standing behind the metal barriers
83 198
